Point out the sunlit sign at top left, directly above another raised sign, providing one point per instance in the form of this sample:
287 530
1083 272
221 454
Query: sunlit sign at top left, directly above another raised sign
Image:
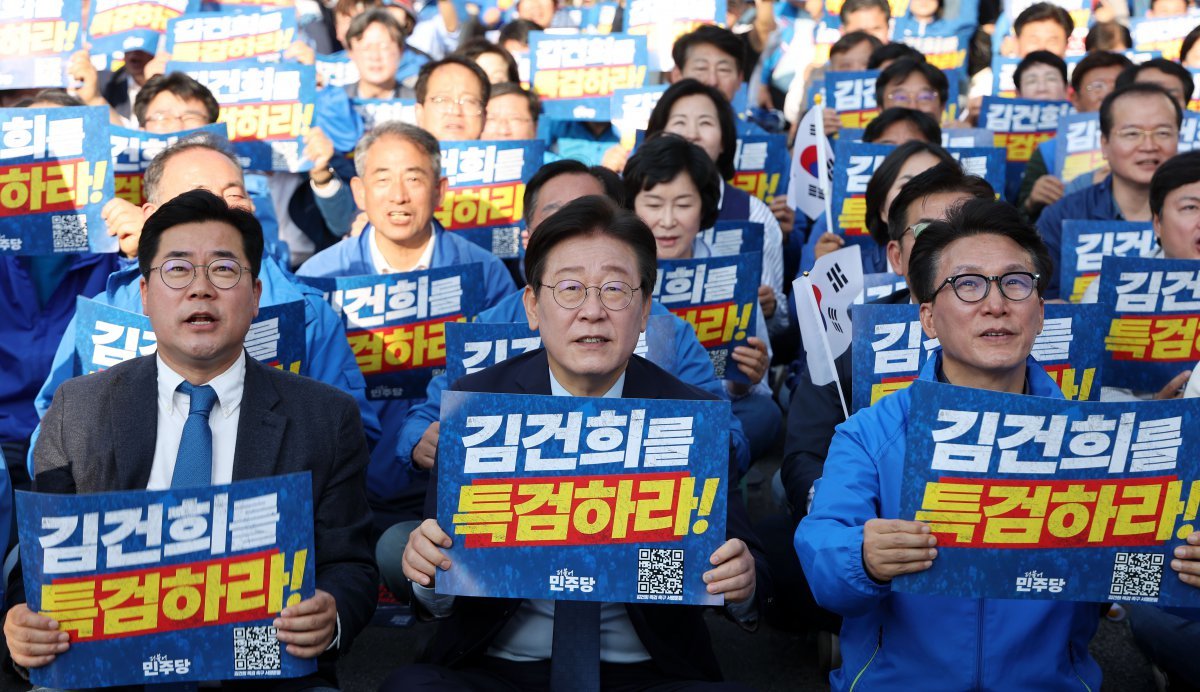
230 37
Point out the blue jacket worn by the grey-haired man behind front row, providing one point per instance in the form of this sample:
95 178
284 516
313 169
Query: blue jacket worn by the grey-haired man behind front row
392 478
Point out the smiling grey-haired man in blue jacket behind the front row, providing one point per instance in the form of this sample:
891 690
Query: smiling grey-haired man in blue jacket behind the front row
400 185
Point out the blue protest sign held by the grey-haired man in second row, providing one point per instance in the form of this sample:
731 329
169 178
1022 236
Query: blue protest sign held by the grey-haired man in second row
397 323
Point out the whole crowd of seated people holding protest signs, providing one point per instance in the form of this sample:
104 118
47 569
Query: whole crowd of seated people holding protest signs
980 262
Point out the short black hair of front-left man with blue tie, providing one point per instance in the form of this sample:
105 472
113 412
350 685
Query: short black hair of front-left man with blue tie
200 207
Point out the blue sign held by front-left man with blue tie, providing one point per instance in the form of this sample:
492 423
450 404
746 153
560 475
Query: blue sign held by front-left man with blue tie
170 586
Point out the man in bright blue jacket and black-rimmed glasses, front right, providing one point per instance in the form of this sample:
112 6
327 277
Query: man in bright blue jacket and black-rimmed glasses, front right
980 278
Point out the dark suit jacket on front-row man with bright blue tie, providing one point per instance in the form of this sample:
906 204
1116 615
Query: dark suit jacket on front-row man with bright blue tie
100 436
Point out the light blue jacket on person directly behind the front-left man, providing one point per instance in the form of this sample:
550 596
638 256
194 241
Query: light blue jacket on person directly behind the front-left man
328 357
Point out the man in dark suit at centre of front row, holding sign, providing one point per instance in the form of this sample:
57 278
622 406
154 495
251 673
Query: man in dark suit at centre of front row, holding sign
587 246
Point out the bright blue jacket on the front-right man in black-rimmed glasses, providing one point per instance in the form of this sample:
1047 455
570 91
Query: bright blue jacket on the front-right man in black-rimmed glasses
892 641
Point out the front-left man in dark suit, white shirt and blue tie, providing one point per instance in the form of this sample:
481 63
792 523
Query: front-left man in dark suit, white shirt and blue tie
133 428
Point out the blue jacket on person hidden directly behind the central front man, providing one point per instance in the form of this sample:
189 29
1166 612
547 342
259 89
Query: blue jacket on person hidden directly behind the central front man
693 366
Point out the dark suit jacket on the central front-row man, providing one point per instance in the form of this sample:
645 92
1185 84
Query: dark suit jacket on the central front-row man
675 636
